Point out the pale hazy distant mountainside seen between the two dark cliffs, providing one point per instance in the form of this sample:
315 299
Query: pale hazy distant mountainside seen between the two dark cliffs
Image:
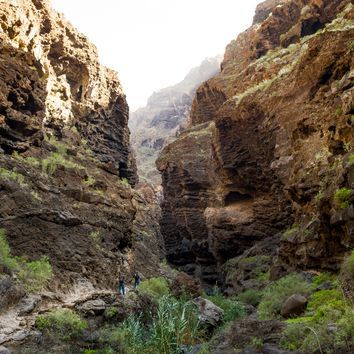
164 117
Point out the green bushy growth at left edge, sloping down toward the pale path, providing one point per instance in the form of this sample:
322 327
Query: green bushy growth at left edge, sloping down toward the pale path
34 275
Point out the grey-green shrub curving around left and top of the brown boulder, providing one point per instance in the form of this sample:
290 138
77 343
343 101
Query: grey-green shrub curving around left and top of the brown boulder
277 292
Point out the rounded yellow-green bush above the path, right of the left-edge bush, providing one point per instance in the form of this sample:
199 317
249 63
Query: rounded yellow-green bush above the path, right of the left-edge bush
35 275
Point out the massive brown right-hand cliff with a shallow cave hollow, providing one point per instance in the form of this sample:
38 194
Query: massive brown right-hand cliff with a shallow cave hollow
269 150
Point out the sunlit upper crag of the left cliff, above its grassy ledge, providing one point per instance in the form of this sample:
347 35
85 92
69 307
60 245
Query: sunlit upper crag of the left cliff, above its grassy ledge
52 80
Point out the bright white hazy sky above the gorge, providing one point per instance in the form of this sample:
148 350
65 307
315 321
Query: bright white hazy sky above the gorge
154 43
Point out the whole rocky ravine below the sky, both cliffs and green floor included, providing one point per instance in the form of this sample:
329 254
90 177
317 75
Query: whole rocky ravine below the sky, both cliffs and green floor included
231 230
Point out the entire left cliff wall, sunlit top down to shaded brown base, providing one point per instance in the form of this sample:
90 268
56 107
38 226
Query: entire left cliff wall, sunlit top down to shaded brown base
66 169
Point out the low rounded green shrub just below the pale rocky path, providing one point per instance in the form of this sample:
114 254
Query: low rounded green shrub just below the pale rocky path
63 324
